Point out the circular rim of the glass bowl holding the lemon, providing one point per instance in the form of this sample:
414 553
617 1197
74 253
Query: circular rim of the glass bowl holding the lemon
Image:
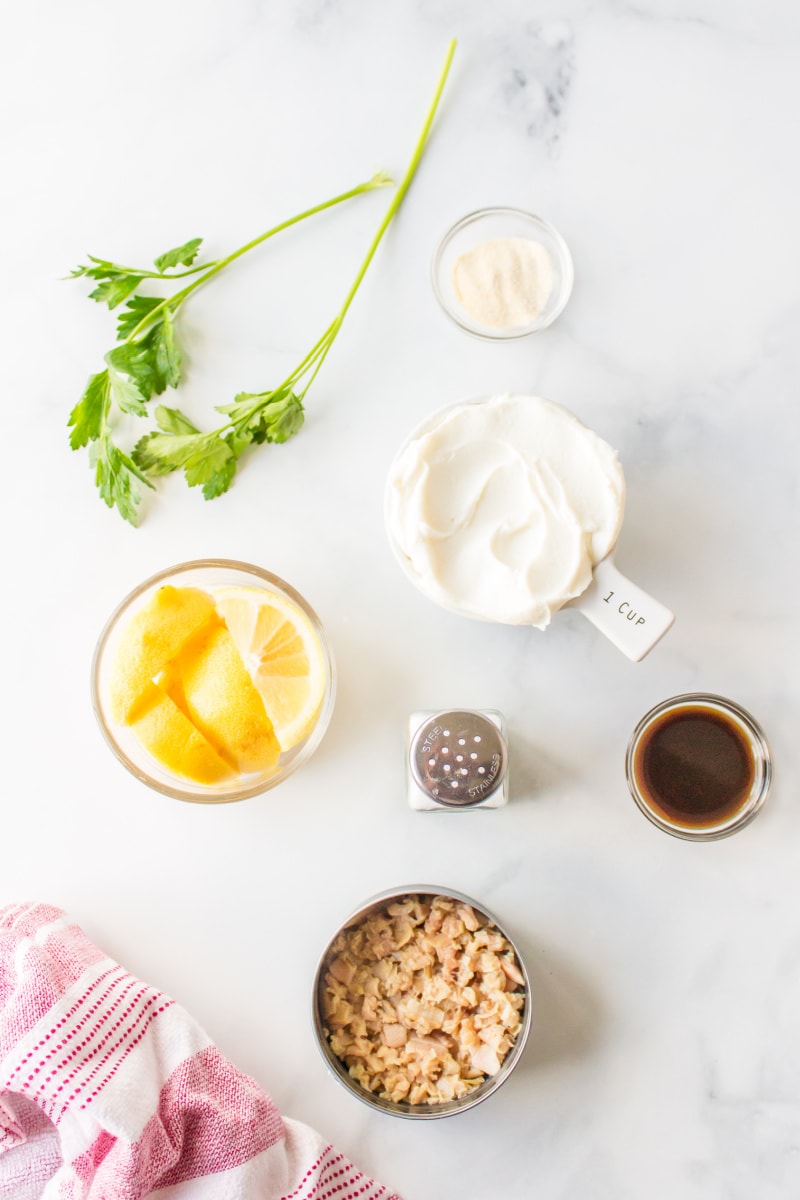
189 793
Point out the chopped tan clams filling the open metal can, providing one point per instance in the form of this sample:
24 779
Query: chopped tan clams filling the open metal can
423 1001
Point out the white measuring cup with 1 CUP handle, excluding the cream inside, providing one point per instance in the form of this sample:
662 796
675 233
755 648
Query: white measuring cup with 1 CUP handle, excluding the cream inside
630 619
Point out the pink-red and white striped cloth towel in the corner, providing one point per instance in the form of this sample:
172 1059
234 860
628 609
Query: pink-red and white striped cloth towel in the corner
111 1091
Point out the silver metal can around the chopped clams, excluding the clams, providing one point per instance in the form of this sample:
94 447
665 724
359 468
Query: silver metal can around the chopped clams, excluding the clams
402 1109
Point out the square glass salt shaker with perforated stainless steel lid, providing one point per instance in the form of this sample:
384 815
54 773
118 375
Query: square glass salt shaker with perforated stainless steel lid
458 760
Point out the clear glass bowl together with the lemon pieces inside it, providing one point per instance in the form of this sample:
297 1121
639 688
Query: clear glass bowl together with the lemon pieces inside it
214 681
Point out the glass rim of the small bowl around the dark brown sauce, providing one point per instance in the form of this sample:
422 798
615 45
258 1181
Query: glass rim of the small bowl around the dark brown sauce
763 758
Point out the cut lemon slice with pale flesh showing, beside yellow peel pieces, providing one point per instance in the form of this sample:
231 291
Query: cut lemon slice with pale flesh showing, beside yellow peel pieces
284 653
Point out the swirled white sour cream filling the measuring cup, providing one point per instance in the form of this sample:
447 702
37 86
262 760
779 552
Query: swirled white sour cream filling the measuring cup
501 508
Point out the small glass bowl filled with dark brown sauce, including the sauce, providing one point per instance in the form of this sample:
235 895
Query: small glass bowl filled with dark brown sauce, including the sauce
699 767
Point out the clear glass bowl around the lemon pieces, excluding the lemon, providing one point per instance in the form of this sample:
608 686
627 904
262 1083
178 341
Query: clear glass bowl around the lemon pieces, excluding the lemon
207 574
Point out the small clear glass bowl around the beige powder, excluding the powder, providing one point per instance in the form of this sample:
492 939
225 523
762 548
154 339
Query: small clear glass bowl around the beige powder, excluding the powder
484 226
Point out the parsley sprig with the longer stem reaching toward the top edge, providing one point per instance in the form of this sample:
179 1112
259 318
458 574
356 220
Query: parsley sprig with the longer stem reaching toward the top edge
210 460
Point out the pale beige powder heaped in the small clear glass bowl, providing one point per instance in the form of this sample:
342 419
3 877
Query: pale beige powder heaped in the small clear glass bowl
504 283
